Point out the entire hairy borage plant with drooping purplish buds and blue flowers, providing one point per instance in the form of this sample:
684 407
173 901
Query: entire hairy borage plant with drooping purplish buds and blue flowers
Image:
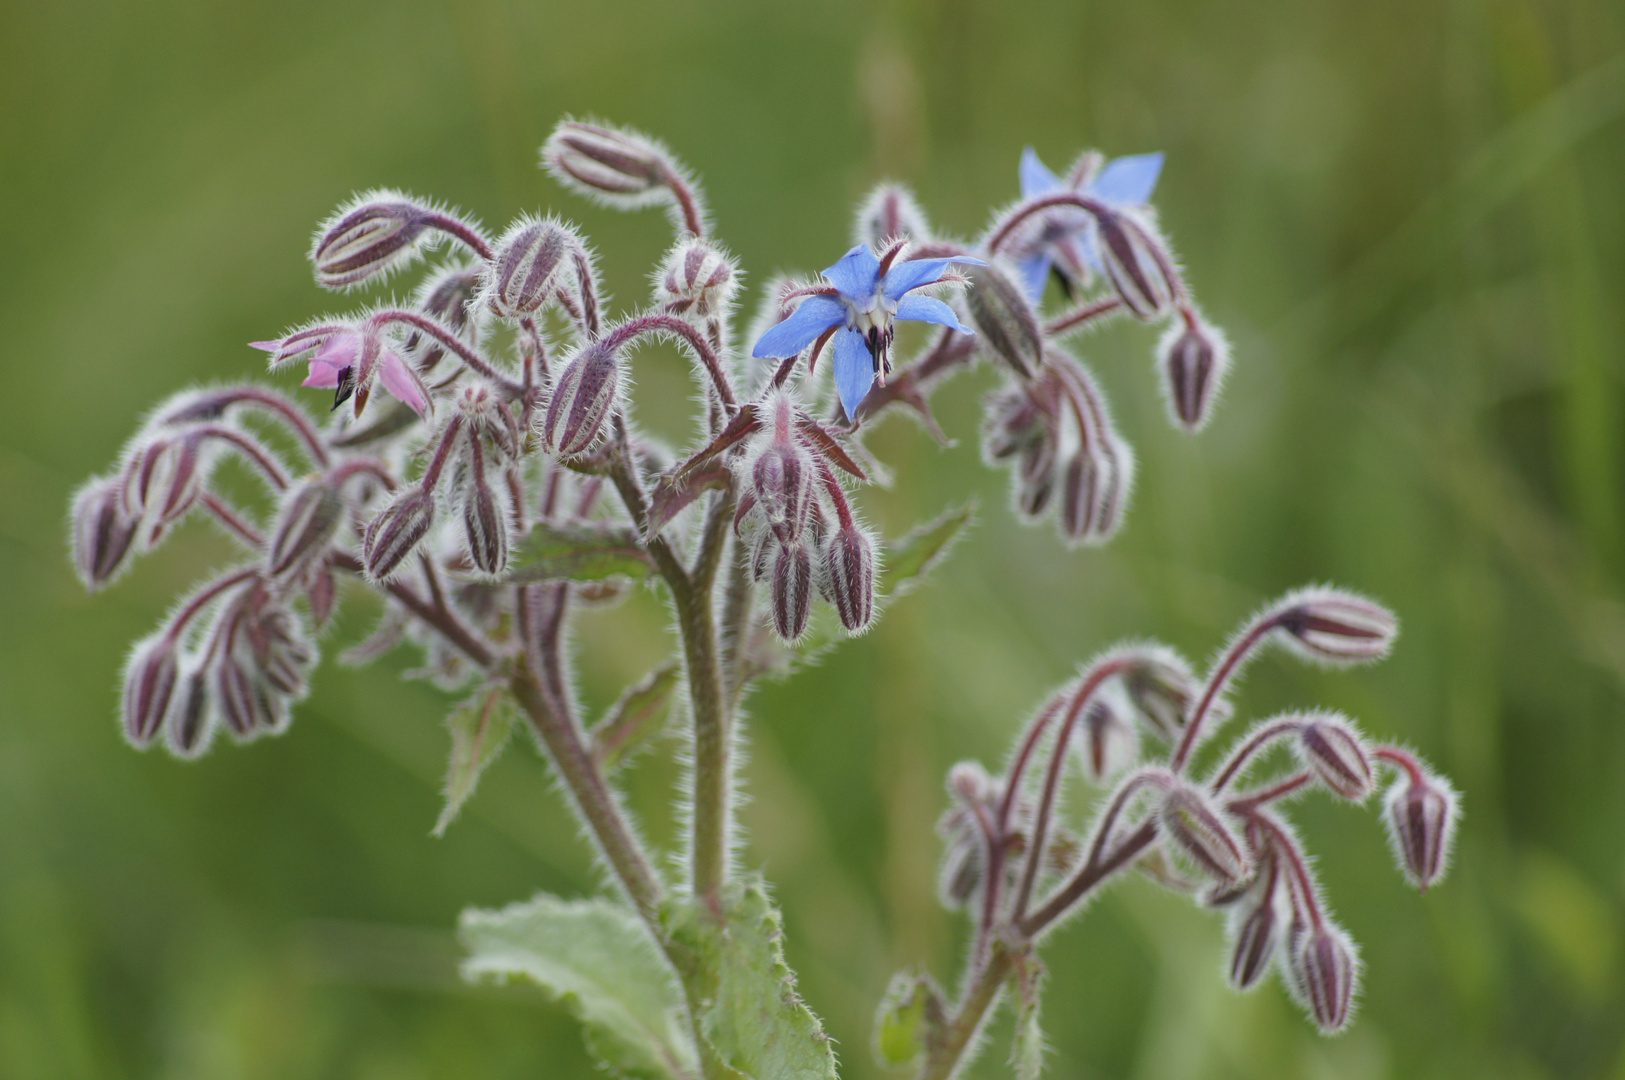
498 485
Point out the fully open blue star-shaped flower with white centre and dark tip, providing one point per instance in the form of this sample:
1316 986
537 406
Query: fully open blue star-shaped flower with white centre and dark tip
867 296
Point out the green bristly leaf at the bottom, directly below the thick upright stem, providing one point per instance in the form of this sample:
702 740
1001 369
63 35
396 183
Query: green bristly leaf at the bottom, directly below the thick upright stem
753 1017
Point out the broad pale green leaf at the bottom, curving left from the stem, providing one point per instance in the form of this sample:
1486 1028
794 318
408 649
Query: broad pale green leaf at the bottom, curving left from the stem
599 961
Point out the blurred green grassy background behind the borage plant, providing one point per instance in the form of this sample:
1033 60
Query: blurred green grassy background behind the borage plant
1408 215
